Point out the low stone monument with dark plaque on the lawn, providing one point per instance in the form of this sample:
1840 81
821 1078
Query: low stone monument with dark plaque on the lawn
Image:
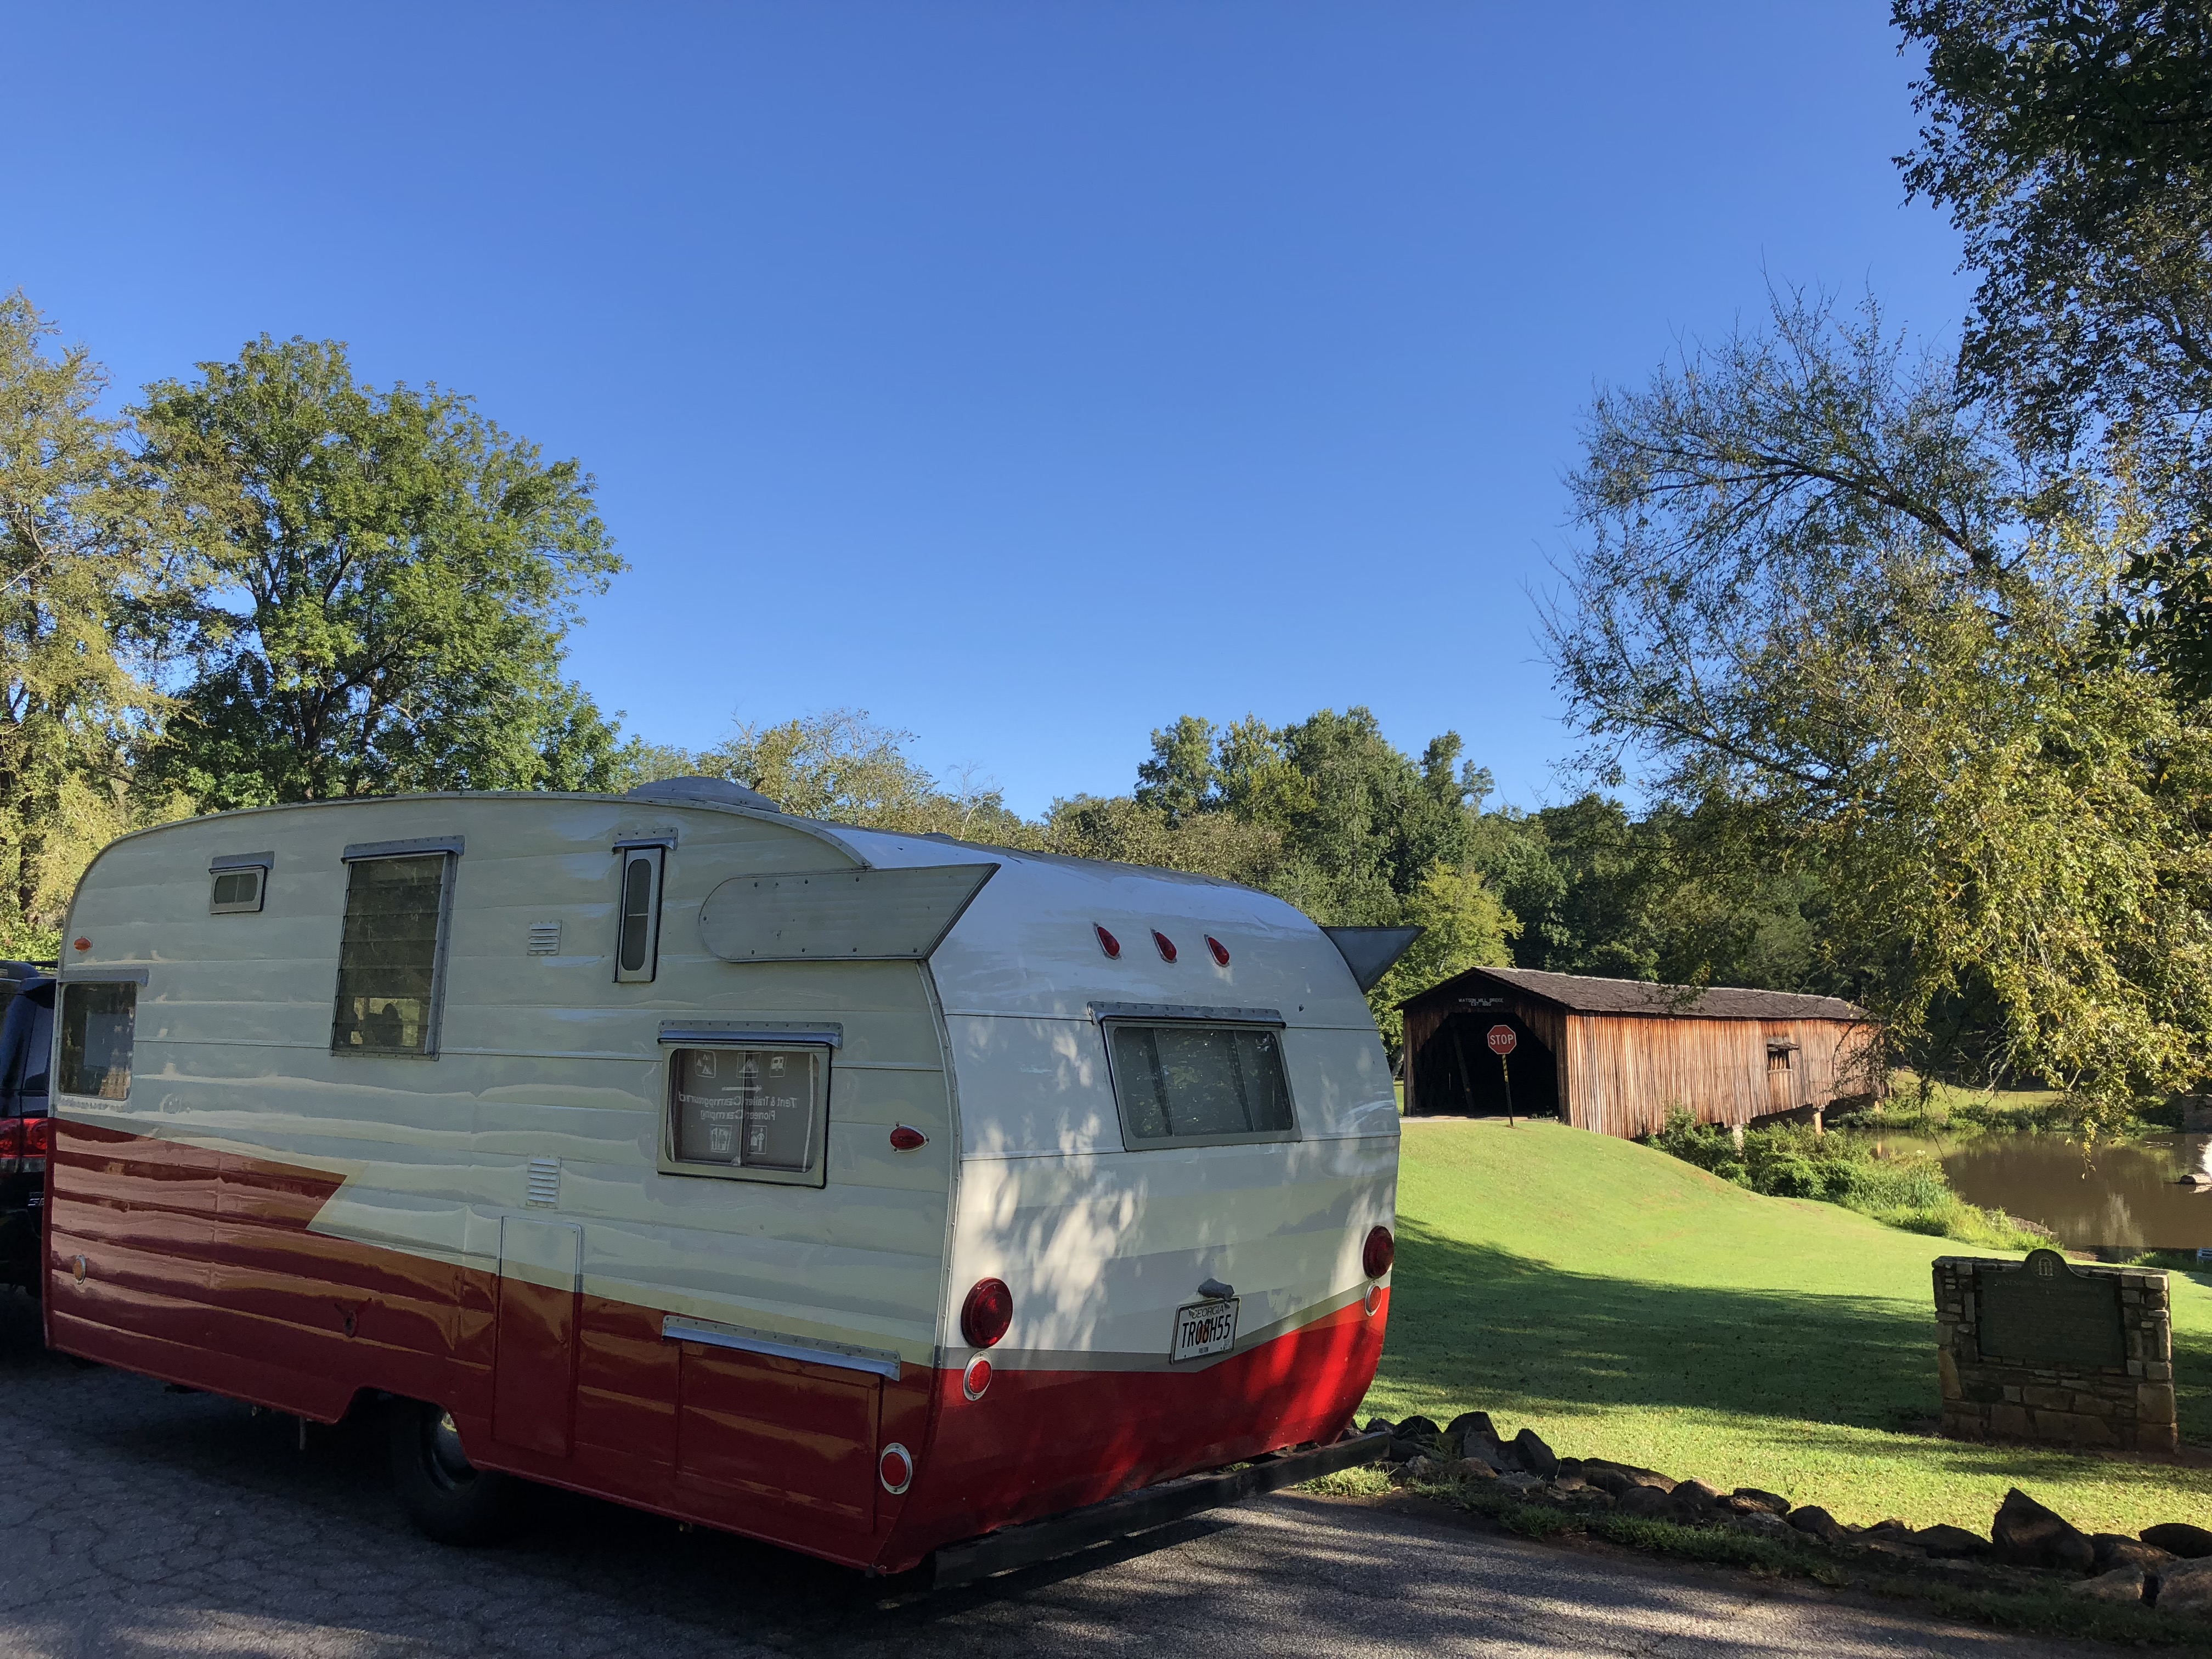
2056 1353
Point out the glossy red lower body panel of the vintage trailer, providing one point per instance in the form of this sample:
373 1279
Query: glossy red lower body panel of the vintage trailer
202 1269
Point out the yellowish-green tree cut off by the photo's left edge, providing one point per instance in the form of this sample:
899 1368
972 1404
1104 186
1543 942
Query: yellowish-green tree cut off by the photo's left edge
90 592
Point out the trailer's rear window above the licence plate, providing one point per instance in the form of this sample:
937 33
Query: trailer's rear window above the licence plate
1193 1083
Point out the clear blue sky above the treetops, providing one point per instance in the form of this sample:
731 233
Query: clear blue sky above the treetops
1027 375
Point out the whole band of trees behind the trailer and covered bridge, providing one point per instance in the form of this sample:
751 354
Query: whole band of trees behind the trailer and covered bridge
1906 654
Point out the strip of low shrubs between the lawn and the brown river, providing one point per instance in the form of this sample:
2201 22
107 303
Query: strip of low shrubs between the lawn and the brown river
1788 1162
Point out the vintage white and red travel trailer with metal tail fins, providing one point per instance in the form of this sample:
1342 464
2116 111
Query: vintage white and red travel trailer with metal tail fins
853 1191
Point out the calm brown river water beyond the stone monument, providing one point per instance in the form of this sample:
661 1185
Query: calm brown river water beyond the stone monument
2118 1198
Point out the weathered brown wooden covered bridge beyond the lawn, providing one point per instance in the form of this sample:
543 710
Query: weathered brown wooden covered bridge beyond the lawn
1618 1056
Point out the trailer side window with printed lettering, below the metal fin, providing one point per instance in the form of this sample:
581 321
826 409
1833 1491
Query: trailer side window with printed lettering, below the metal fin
747 1112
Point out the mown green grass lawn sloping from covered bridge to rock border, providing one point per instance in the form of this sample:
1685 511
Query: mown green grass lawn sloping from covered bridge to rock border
1631 1306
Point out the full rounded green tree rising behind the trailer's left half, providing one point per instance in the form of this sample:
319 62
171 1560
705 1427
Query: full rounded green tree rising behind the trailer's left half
406 576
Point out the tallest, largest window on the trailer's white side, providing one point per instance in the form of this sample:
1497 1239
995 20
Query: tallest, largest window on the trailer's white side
393 954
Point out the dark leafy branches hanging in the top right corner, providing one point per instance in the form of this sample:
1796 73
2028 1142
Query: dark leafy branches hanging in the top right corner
2074 147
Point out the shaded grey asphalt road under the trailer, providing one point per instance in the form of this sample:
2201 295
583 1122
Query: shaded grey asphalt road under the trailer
149 1523
